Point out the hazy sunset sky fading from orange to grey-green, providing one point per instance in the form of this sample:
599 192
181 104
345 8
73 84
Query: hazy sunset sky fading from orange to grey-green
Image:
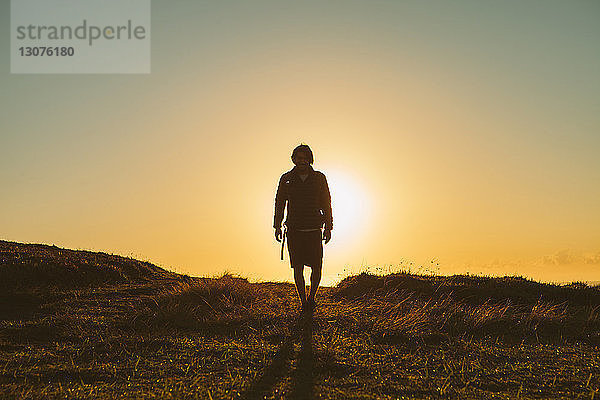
457 137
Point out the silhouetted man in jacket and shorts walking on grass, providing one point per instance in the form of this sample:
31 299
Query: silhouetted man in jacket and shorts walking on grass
308 211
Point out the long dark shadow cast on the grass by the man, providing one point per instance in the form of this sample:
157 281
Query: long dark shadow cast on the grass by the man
302 380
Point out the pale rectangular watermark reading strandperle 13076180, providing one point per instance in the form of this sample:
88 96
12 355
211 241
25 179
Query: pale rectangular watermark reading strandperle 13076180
80 36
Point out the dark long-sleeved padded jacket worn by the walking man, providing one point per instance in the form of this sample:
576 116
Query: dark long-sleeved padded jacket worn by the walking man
308 202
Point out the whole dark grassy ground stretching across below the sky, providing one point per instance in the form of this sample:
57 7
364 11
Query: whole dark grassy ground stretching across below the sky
80 324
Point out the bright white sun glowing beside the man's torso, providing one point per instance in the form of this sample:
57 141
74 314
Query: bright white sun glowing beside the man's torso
350 206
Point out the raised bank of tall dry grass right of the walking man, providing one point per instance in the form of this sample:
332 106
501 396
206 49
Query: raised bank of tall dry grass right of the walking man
455 307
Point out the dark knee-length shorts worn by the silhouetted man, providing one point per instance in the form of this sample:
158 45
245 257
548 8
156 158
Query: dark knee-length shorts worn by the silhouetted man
305 248
